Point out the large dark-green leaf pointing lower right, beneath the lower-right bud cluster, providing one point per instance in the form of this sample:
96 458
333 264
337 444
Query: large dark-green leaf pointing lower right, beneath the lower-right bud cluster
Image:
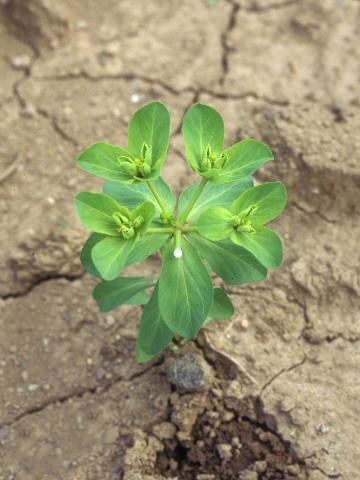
232 263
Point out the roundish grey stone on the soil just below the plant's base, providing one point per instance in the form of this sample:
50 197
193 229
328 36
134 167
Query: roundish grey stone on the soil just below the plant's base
190 373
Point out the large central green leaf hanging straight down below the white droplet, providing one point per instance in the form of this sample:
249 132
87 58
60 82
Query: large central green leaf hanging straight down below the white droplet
185 290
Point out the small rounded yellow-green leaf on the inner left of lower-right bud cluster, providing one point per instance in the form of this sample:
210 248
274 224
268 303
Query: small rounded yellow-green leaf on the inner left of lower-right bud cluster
215 223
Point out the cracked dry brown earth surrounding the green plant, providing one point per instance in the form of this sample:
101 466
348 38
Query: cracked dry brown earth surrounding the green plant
283 400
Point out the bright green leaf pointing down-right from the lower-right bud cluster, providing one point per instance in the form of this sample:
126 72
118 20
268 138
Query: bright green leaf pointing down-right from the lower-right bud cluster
264 244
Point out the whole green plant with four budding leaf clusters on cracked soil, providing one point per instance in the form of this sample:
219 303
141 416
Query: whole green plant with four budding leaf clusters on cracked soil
217 224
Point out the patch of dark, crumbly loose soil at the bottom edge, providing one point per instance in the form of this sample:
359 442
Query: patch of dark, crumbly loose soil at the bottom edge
227 449
